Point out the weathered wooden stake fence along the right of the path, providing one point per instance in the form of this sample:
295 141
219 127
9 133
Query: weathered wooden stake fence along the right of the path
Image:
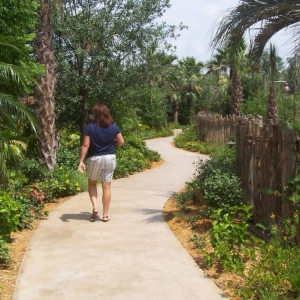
266 157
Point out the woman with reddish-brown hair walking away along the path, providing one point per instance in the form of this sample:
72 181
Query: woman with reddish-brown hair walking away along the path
99 140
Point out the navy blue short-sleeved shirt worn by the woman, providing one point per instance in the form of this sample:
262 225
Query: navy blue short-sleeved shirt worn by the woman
102 139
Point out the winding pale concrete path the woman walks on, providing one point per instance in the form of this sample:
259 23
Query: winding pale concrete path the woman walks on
134 256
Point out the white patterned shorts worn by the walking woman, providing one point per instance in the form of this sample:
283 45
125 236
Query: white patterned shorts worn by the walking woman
103 166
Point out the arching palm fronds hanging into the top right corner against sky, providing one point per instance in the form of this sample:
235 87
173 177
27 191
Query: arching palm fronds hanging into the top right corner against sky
271 17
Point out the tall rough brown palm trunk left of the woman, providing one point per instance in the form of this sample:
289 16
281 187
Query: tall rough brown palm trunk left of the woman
47 140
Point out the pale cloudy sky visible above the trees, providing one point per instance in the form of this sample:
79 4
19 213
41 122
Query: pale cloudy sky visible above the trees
201 16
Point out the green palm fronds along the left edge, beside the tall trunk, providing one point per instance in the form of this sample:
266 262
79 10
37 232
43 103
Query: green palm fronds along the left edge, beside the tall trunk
13 78
